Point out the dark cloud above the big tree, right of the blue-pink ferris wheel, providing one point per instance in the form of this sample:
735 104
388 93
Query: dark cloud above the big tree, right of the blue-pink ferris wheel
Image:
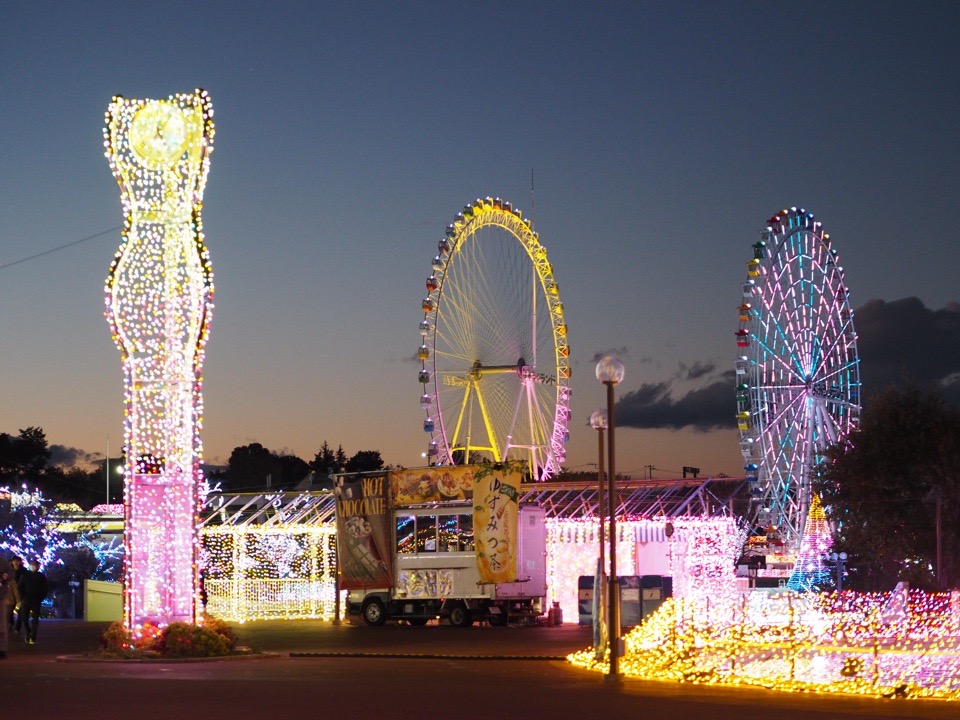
903 341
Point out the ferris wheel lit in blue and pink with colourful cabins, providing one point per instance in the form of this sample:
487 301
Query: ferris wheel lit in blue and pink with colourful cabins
798 376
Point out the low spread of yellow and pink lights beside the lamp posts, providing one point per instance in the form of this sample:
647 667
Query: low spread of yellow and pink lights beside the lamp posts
900 644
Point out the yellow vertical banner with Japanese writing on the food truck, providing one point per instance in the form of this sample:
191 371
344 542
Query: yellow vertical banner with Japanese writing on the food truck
496 493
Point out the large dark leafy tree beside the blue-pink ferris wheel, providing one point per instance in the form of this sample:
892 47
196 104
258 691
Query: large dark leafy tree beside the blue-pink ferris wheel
882 487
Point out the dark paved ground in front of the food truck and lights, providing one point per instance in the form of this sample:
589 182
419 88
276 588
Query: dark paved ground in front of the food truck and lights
315 670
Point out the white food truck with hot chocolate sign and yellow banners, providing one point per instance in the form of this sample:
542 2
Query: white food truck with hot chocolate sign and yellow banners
440 542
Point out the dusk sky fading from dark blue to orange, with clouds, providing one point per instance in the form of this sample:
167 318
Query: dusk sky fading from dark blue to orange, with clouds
661 135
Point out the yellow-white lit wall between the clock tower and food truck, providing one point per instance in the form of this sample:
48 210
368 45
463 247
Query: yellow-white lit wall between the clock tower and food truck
276 572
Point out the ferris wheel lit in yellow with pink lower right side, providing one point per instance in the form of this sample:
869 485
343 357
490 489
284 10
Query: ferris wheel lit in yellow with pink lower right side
495 361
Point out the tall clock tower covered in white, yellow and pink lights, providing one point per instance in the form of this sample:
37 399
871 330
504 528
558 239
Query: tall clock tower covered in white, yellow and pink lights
159 301
